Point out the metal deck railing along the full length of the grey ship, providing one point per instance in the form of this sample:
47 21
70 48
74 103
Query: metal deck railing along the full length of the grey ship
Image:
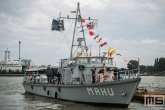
110 77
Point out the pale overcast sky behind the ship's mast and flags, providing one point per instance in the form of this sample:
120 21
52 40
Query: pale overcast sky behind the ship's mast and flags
134 28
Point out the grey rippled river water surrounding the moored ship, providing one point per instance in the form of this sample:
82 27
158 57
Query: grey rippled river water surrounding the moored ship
13 97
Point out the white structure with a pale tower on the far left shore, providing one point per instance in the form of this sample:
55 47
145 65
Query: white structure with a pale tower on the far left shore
7 64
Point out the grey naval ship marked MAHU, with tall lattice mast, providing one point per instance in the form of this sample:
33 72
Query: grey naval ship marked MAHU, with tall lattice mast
77 83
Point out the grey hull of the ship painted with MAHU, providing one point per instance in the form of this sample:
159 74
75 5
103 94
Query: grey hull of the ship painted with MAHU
119 92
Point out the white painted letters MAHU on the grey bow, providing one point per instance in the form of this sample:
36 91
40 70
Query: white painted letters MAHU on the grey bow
100 91
